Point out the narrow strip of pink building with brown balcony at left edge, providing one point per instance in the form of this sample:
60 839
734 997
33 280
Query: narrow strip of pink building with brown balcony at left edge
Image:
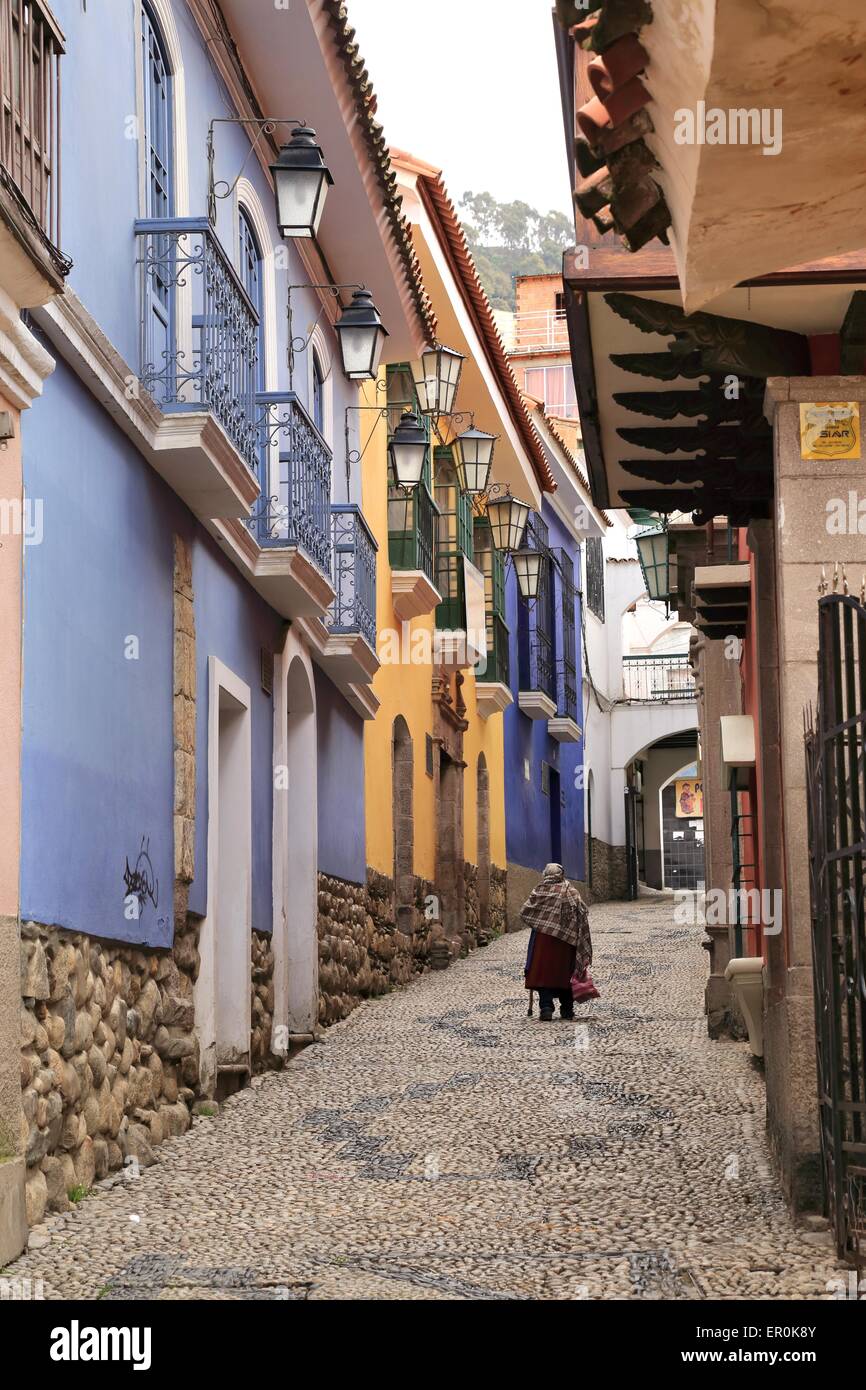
33 273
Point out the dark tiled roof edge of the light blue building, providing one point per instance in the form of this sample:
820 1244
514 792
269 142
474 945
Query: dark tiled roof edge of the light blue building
377 145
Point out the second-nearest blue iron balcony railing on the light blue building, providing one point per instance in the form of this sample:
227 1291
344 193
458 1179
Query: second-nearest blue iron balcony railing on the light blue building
297 459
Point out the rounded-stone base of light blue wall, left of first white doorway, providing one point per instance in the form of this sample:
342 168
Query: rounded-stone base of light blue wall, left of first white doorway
109 1061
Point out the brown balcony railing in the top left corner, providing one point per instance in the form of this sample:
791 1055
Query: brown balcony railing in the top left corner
31 45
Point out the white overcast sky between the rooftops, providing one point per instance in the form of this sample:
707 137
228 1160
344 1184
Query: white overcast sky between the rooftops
472 87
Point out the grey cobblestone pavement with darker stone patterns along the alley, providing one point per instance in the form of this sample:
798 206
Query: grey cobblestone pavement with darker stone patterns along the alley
440 1145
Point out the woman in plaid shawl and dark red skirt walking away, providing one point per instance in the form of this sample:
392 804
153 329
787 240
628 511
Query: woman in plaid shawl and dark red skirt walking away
559 942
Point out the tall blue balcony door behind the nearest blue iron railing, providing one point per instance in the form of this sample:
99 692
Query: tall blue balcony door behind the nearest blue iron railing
159 202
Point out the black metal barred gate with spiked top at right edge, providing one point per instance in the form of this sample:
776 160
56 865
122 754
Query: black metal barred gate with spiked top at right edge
836 782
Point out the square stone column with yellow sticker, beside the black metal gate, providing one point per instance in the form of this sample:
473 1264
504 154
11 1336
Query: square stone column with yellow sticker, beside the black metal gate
817 523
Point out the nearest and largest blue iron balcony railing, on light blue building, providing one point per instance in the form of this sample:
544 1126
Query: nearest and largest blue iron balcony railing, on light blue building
199 332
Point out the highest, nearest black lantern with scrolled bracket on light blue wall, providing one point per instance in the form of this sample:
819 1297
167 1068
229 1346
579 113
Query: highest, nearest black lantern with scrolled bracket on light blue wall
300 173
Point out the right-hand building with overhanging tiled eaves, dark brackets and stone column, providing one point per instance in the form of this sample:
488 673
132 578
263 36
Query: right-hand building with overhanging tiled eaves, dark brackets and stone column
746 416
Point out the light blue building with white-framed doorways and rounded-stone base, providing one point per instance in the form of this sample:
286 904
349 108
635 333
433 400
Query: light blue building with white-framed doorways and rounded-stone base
201 611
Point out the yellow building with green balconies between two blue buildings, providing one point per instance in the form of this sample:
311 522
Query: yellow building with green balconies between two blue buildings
434 753
